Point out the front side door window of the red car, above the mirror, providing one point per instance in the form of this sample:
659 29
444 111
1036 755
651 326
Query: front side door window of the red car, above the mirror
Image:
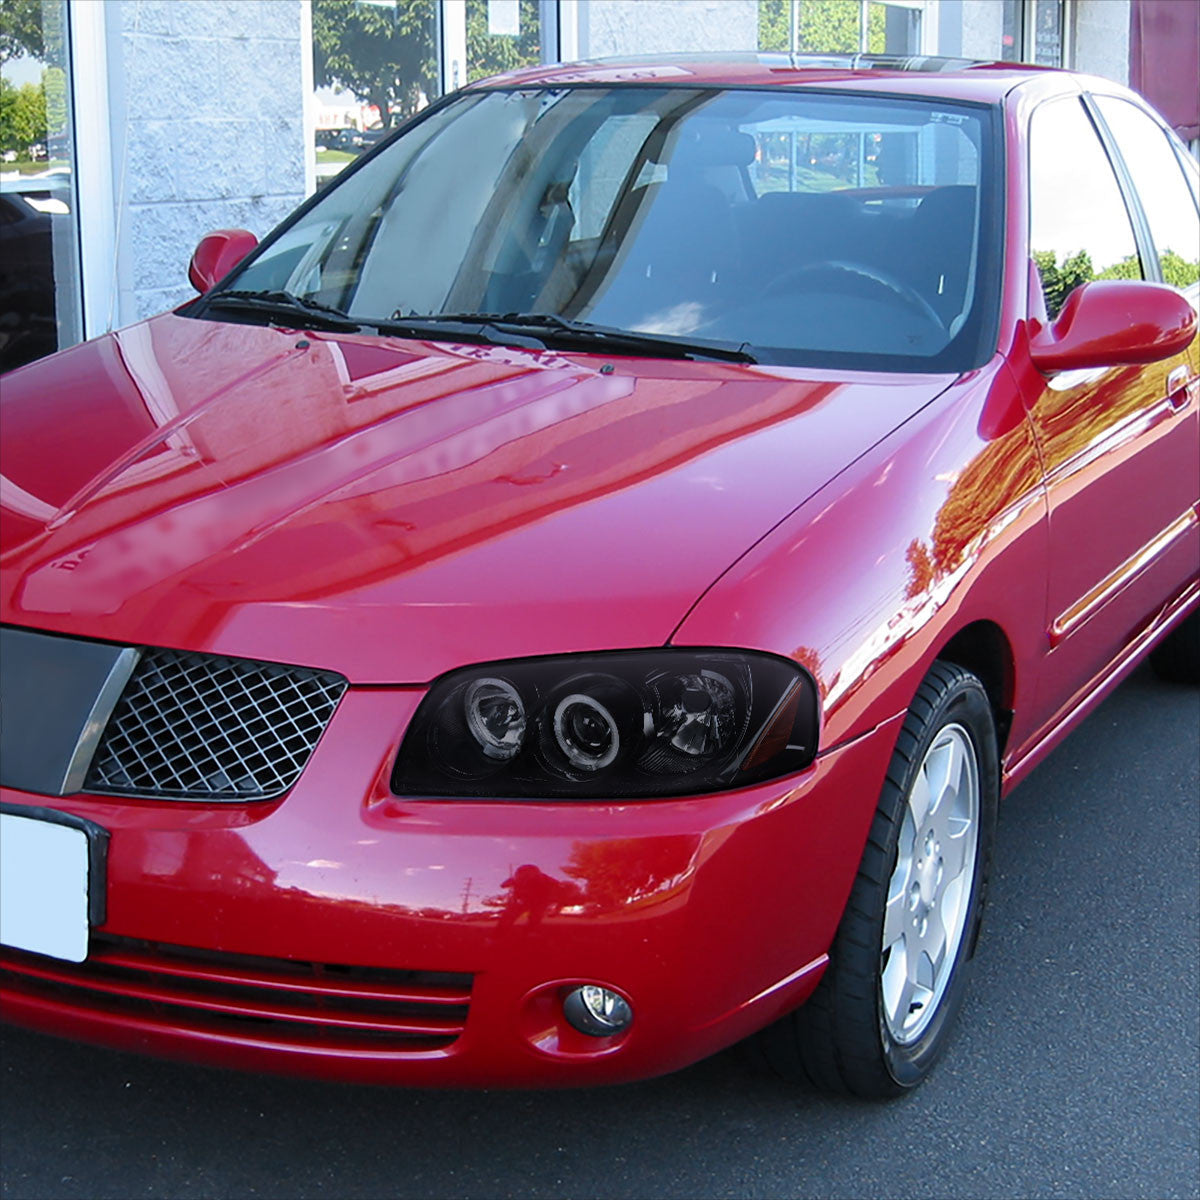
1079 226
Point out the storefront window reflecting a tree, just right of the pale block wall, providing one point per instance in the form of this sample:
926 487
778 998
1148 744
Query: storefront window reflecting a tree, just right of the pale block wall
375 65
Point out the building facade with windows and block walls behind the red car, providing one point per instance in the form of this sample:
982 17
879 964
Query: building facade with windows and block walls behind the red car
165 119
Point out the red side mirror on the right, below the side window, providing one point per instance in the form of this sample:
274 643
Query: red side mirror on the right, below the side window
1111 323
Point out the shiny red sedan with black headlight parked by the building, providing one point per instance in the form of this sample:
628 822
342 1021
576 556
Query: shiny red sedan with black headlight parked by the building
574 597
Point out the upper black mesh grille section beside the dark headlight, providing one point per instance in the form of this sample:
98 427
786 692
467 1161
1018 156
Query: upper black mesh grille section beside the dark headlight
207 728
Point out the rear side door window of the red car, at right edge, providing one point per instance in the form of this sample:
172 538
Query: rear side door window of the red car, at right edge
1166 196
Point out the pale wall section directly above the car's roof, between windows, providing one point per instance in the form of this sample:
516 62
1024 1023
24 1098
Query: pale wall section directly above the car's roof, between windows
659 27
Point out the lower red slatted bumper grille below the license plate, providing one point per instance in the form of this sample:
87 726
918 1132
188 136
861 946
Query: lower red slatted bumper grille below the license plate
267 1000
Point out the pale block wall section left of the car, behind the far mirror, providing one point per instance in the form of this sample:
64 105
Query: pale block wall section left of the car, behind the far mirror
207 107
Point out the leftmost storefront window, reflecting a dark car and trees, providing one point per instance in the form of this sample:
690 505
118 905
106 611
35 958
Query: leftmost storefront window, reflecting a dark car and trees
40 309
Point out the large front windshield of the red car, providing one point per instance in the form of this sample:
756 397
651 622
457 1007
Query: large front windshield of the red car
808 229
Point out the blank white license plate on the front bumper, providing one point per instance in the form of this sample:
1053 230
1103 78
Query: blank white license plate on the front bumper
44 887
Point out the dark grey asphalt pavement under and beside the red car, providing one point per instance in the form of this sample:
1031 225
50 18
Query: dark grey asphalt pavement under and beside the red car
1076 1071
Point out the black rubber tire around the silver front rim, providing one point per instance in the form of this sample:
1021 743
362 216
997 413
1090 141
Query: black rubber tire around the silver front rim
841 1041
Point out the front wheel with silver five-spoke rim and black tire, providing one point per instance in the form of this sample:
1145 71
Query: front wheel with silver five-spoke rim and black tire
883 1013
